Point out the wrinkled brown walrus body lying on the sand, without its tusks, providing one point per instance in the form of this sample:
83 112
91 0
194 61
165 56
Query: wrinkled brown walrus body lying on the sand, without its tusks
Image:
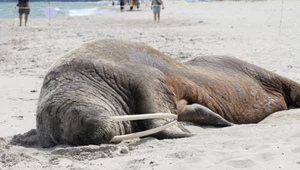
104 78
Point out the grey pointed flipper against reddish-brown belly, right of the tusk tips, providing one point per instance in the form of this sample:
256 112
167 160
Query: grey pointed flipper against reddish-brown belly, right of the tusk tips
201 115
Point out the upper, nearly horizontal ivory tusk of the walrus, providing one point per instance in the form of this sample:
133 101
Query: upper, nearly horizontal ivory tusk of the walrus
144 116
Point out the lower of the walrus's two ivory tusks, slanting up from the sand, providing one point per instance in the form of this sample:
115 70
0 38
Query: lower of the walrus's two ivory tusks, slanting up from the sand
143 133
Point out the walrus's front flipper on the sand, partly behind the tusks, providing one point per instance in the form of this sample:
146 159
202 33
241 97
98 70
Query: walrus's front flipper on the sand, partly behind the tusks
177 131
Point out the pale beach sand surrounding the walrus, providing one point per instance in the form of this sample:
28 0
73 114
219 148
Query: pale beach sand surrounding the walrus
263 33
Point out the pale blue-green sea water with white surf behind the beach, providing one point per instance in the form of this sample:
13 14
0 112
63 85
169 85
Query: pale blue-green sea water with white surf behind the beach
62 9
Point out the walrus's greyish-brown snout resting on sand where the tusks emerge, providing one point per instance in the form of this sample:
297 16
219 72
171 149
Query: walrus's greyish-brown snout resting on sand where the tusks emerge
88 125
